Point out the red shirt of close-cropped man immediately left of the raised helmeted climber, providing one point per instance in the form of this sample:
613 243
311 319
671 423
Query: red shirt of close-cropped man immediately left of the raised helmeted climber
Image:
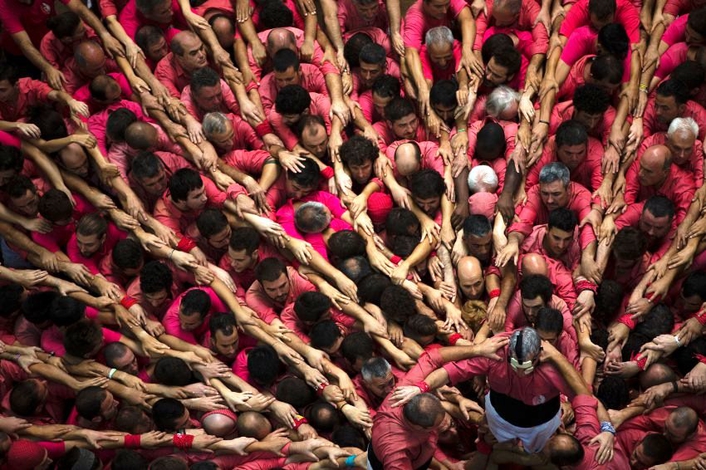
395 443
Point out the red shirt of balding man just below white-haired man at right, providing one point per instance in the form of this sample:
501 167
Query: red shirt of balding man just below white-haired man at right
678 187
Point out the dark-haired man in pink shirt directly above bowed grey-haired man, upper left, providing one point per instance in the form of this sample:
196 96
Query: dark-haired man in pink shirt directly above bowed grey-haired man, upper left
207 93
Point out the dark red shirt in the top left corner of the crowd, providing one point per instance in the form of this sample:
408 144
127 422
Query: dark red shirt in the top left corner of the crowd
16 17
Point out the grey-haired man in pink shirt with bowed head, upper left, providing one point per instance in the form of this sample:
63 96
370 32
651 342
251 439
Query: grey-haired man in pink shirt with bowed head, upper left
229 132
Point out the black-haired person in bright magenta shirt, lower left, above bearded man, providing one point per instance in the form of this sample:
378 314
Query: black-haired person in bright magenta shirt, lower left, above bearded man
188 316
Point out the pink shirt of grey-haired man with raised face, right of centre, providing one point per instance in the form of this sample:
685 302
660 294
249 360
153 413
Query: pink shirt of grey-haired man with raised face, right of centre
534 212
